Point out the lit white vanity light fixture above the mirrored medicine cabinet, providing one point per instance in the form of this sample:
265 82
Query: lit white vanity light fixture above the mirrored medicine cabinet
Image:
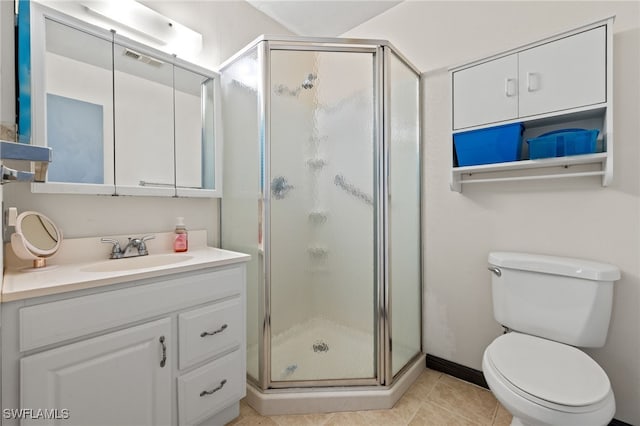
138 21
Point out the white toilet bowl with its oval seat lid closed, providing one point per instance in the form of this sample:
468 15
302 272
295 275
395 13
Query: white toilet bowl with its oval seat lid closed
541 382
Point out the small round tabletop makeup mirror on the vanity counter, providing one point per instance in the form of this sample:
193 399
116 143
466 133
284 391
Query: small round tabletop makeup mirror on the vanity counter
36 238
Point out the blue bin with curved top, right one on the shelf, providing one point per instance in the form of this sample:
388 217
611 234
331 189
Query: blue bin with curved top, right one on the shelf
563 142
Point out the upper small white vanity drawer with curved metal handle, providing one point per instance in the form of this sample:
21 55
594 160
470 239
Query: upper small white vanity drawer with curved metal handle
208 331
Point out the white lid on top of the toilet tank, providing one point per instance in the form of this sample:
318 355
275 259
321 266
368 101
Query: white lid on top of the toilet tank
579 268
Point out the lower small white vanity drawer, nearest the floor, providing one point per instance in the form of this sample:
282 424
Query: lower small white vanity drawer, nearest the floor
207 390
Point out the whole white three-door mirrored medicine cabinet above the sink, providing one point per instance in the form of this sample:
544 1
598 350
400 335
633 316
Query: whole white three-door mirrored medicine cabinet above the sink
122 118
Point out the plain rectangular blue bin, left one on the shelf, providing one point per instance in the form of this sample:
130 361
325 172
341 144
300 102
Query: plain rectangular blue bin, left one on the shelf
491 145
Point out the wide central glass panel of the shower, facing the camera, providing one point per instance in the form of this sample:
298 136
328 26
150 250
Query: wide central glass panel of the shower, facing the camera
322 220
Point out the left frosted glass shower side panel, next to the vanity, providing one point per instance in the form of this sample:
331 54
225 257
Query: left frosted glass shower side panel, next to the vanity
242 189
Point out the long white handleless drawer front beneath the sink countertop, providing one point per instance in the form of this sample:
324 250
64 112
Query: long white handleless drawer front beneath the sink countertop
54 322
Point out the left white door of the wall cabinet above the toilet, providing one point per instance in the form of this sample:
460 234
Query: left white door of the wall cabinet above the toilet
486 93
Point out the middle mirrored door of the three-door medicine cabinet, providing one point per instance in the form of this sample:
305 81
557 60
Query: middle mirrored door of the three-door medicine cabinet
144 123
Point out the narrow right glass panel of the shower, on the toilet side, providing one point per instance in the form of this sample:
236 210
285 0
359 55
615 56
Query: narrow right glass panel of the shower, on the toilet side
404 212
